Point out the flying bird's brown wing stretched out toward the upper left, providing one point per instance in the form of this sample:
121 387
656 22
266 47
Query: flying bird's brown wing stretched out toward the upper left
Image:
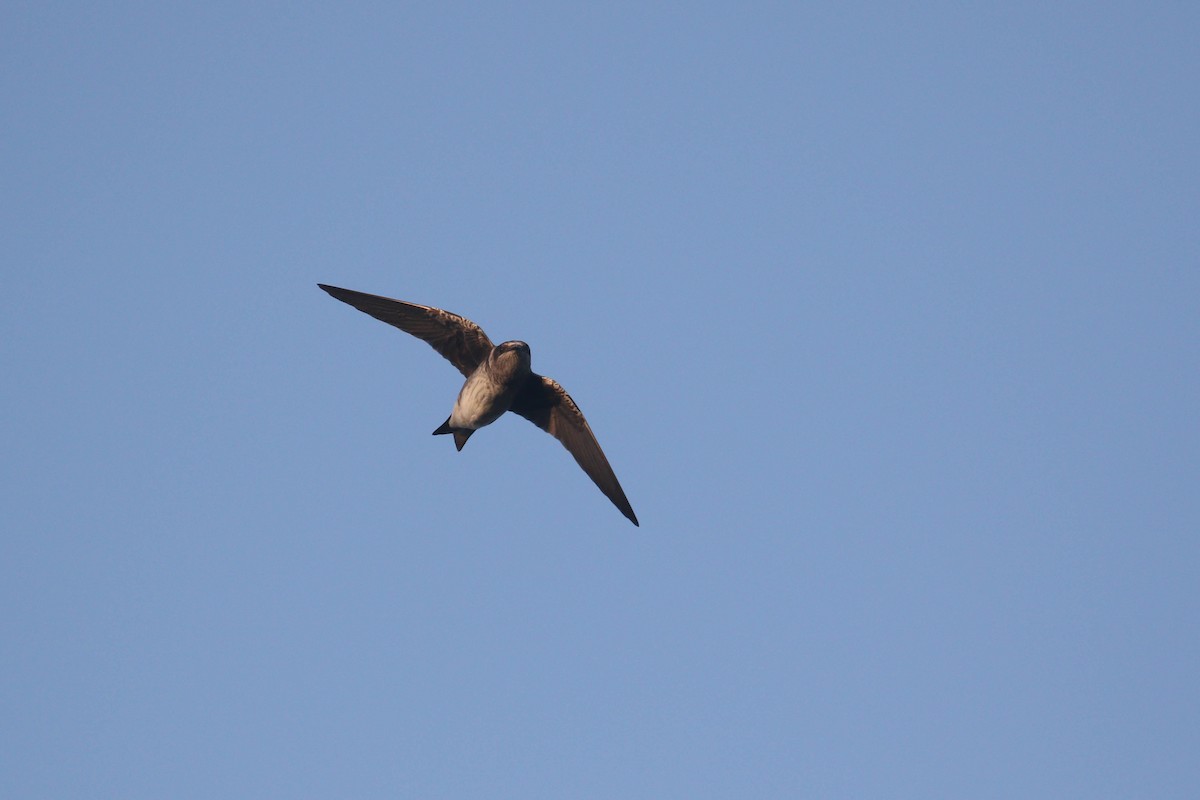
463 342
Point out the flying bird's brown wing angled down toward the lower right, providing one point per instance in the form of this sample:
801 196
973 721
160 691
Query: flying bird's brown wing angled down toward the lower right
547 405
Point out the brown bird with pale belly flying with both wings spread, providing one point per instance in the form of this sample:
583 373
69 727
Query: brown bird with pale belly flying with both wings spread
499 380
